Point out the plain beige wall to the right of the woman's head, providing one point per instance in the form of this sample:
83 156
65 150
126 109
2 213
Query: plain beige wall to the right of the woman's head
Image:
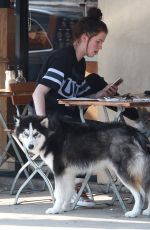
126 51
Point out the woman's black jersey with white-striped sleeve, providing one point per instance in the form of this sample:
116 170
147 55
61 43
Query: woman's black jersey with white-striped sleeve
64 74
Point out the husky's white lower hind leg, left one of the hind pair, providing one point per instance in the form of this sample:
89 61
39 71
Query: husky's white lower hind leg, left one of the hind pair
134 189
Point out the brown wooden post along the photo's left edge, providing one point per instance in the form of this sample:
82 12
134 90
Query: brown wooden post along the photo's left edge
7 56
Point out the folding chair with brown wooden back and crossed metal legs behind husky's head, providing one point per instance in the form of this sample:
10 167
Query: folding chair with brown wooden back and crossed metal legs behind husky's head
21 97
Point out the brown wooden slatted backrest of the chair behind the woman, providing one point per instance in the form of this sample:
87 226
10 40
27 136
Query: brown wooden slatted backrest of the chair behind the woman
22 93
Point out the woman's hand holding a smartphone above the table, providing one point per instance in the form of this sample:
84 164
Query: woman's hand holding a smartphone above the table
109 91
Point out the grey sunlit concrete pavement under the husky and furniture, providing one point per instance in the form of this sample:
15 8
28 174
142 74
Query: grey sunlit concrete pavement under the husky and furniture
30 213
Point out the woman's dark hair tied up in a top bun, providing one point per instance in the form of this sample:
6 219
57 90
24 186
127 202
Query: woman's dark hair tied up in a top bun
90 25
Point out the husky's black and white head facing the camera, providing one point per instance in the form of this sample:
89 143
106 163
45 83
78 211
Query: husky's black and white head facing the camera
32 131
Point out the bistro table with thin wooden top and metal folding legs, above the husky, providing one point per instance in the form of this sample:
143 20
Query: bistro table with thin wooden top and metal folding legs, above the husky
120 103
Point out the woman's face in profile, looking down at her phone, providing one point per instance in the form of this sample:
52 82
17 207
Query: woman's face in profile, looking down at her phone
95 44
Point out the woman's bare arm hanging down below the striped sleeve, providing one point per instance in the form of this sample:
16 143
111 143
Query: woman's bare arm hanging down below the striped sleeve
39 99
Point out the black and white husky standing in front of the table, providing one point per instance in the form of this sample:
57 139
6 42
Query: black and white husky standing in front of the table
70 148
